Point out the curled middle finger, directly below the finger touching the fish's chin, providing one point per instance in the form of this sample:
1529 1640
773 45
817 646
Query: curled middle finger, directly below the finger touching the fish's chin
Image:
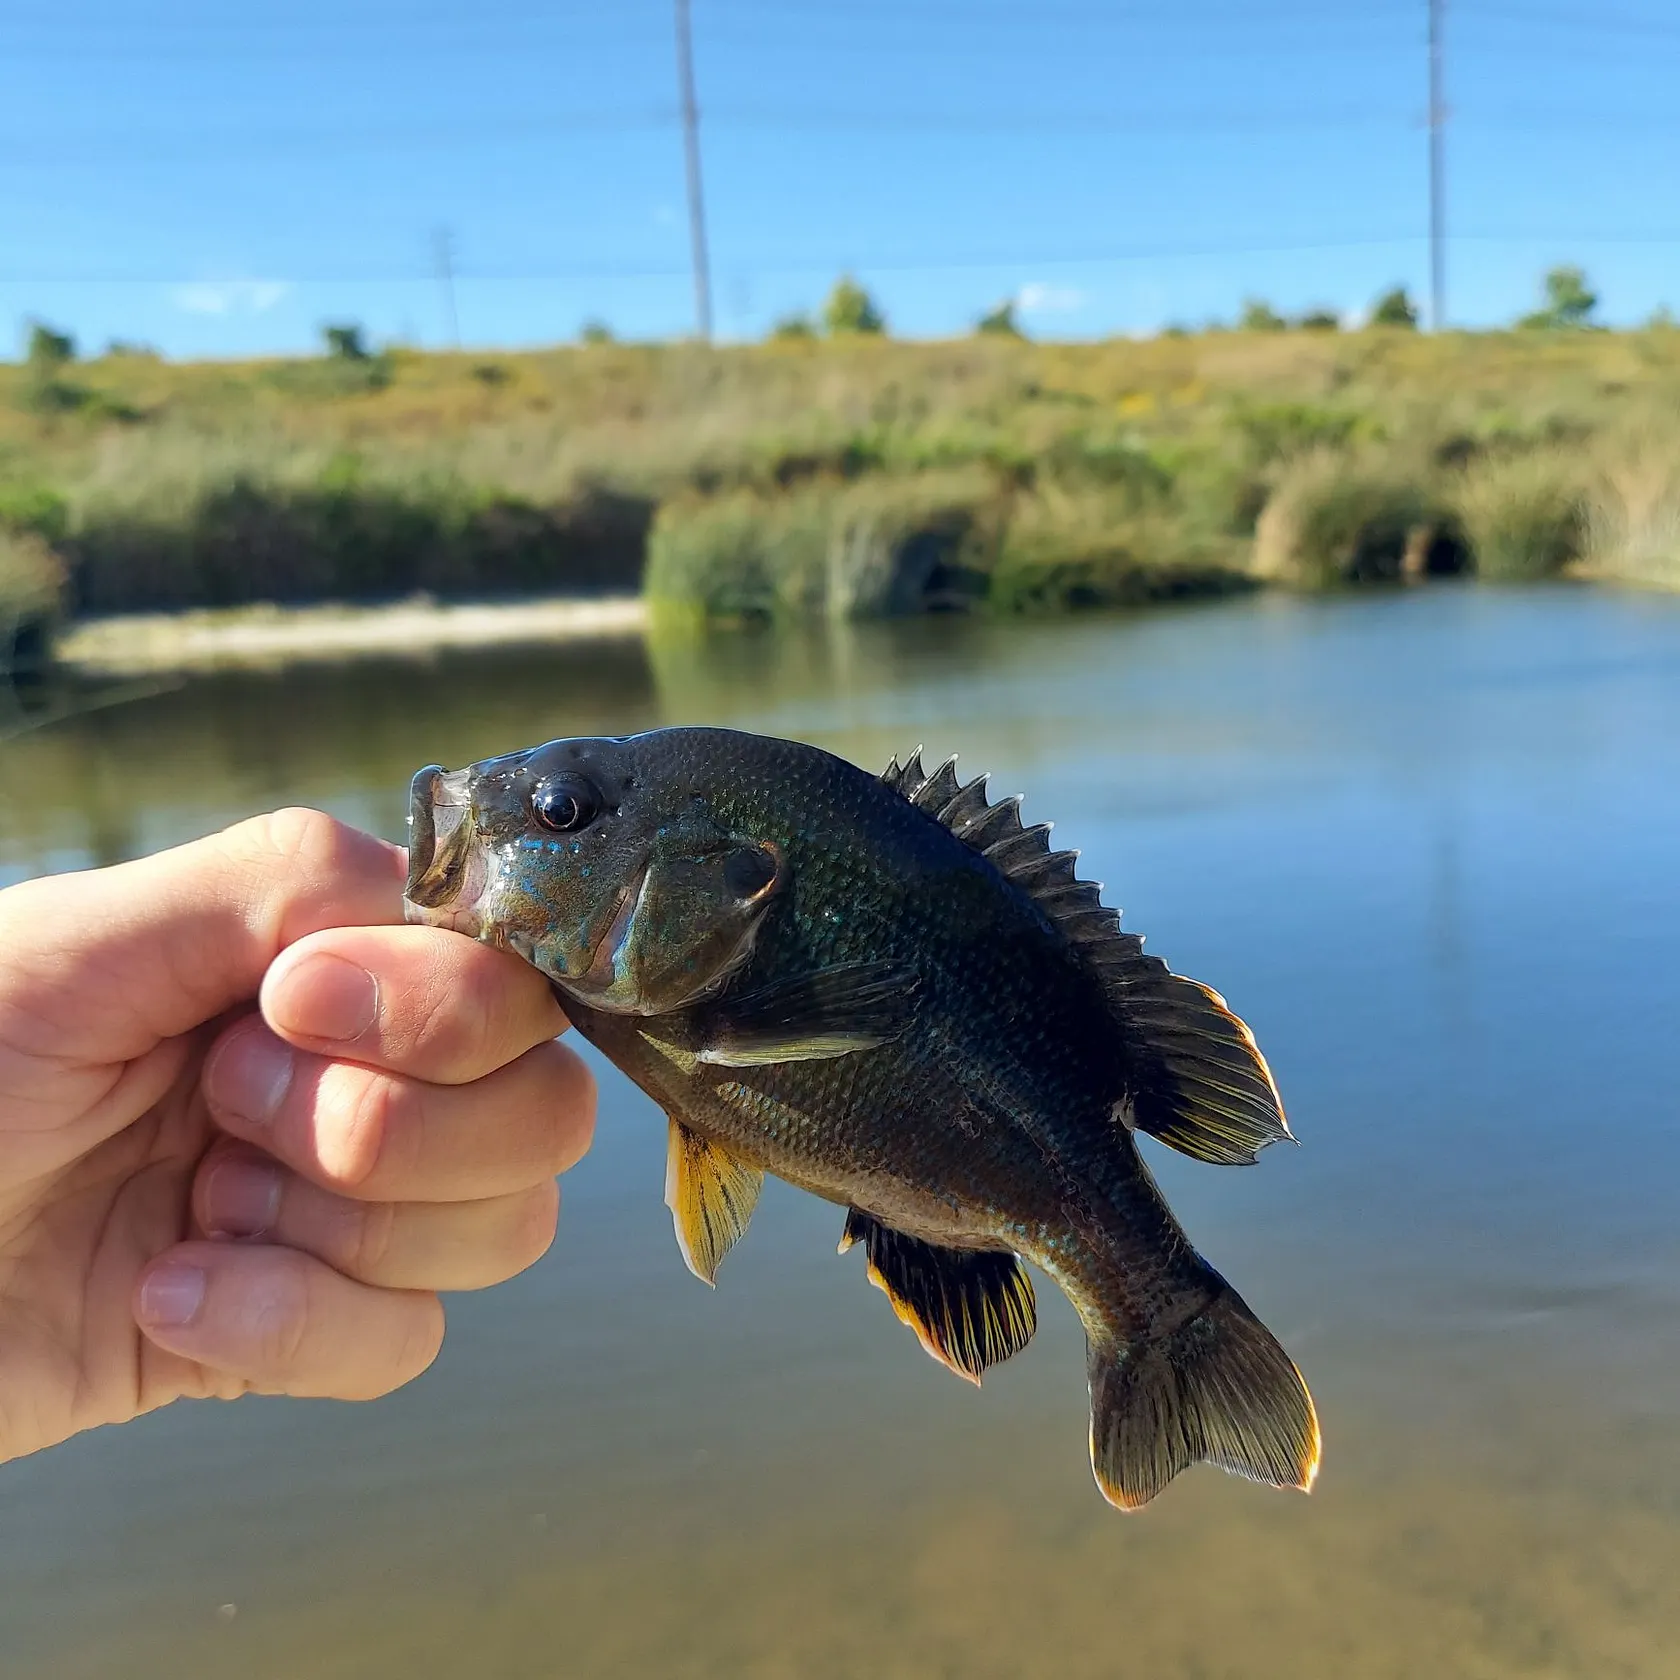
381 1137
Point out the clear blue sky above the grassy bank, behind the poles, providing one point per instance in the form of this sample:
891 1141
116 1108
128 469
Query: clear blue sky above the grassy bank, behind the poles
221 179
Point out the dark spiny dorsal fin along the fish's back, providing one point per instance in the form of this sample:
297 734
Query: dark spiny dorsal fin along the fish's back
1200 1081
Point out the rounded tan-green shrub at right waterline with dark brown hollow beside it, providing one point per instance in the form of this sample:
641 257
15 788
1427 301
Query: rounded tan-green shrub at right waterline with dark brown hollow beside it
1338 518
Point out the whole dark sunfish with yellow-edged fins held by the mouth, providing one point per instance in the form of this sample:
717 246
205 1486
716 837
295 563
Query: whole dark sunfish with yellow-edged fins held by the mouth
896 995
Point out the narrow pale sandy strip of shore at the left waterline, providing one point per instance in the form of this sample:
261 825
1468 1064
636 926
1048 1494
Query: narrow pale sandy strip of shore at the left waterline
276 636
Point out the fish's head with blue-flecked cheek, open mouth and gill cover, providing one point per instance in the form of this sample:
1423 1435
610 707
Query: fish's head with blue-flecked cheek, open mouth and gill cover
591 861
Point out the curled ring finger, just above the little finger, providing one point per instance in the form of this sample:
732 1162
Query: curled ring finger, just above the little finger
243 1194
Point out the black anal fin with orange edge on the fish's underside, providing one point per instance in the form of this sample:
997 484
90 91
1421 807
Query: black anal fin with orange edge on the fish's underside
970 1308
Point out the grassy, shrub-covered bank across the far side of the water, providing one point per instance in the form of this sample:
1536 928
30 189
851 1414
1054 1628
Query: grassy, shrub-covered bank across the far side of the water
853 476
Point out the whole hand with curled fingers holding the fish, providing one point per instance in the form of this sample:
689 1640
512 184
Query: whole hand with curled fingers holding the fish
251 1126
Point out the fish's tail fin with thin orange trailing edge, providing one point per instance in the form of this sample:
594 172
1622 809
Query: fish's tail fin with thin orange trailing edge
1219 1390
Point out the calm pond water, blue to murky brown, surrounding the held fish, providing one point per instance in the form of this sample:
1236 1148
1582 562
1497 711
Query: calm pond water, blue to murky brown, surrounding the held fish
1425 844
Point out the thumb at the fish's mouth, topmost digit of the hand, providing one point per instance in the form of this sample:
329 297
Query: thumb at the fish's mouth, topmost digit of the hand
118 958
